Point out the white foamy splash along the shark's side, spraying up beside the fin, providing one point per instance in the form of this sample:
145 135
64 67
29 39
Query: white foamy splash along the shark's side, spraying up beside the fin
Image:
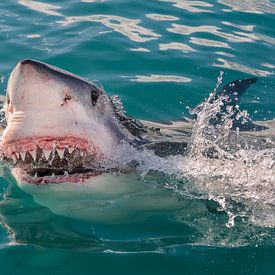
221 165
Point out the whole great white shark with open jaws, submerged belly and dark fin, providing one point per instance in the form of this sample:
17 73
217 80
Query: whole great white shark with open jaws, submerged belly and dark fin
61 133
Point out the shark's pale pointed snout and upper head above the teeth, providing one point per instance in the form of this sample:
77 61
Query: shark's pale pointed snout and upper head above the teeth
44 102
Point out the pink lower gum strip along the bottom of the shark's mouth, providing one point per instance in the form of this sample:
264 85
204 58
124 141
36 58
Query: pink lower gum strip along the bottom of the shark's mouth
22 176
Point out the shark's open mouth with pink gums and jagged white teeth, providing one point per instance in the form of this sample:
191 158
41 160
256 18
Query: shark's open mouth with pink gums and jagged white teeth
53 160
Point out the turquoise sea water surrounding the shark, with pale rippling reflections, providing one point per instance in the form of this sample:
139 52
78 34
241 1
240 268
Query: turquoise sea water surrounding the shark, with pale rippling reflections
160 57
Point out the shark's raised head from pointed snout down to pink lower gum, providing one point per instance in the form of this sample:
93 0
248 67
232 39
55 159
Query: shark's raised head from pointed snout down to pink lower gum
57 123
